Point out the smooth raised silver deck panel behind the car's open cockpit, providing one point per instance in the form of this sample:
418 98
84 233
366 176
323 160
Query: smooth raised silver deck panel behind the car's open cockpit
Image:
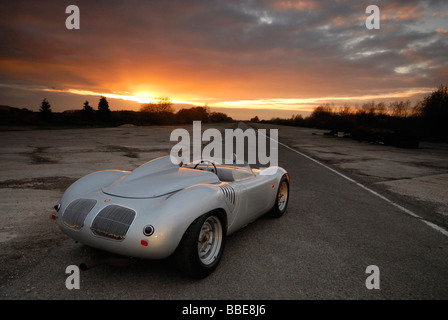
157 178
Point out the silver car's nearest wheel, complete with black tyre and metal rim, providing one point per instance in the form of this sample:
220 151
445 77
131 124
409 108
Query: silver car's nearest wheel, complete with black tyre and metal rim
202 245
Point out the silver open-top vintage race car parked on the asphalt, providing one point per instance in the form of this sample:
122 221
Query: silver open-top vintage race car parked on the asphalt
162 209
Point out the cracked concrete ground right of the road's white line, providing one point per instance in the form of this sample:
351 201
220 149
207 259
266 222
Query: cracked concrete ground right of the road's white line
420 174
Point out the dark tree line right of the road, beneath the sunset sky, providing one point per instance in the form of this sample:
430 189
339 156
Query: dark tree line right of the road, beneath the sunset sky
398 122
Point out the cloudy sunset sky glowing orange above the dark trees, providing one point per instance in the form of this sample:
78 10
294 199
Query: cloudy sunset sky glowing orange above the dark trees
284 57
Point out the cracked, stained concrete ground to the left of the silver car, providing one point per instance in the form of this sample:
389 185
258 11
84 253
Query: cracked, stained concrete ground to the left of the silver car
37 166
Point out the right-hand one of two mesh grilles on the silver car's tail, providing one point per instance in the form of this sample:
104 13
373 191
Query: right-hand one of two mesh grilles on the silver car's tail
113 222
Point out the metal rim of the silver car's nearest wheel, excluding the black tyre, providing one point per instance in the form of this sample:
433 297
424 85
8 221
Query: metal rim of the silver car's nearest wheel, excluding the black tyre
210 240
